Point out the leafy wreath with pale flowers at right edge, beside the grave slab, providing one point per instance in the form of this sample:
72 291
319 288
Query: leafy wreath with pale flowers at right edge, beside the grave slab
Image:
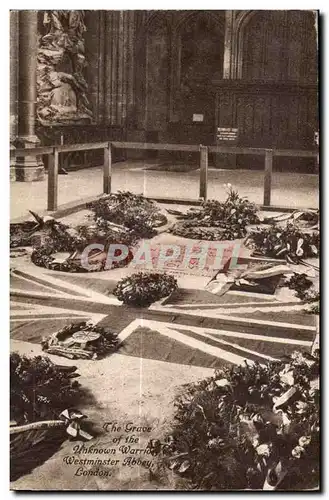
289 242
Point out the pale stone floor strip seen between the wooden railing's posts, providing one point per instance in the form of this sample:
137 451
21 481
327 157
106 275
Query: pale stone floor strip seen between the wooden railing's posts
288 189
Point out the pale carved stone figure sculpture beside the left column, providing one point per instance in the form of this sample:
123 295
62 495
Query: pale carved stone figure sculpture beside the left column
62 88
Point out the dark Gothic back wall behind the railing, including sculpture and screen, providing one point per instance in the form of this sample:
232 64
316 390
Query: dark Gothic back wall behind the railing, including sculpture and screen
142 75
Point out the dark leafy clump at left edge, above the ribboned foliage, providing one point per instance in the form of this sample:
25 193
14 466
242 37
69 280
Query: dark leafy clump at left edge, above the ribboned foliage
39 389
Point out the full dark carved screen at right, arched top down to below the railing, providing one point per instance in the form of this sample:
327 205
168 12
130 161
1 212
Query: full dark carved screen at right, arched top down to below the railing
272 98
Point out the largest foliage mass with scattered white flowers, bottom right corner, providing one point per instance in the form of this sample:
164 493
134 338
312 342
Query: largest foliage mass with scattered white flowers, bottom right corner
247 427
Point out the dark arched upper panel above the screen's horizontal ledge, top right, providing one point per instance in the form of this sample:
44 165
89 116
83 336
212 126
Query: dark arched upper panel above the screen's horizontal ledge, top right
280 46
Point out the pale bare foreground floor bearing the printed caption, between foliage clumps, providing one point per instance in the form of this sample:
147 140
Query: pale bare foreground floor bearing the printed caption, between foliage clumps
125 389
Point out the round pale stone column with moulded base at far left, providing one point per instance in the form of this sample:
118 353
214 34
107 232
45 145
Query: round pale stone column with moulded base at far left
28 168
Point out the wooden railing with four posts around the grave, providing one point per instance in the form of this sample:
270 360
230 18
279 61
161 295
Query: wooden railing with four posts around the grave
53 152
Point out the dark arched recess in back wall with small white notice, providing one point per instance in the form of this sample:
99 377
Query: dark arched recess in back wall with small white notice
198 52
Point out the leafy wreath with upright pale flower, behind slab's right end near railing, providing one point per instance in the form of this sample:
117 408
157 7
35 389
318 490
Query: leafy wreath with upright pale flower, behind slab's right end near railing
226 221
